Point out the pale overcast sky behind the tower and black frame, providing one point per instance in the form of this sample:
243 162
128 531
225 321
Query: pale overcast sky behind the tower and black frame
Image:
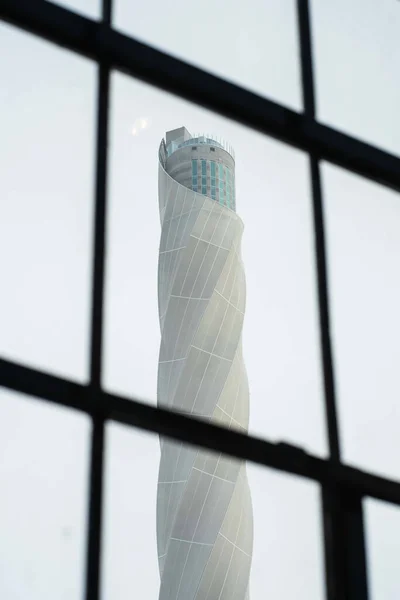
47 118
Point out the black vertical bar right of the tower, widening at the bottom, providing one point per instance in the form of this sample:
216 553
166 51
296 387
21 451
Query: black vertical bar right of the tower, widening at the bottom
345 562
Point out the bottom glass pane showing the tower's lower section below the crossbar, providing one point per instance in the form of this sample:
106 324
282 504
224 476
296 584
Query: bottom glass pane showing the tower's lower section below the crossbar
199 515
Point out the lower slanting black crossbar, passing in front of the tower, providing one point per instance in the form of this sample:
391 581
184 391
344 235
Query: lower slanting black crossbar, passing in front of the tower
281 456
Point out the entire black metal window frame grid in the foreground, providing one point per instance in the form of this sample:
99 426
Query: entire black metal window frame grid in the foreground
343 487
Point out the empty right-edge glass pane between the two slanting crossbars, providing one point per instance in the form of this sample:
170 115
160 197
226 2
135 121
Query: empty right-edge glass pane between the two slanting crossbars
363 223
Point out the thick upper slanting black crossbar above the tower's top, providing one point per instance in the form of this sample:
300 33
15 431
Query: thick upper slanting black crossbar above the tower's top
101 43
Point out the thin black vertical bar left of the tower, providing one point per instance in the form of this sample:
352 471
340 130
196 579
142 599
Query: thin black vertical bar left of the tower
94 536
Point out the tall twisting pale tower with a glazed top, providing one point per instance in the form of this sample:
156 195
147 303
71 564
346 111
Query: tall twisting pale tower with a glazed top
204 513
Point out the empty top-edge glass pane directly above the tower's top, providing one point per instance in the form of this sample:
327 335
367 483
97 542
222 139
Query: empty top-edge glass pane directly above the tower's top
254 45
